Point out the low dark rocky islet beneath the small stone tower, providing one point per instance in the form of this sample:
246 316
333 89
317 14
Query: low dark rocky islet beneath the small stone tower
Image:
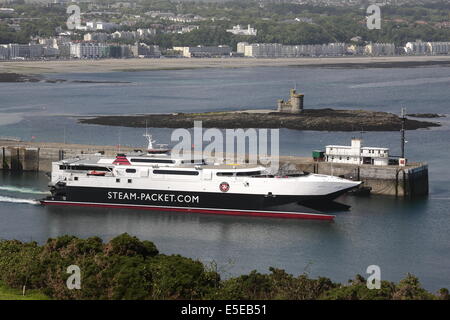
310 119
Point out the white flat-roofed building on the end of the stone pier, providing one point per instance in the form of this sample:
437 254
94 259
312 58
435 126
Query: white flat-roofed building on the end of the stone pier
357 154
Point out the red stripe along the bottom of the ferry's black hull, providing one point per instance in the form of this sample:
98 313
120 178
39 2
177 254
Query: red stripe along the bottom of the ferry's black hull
272 214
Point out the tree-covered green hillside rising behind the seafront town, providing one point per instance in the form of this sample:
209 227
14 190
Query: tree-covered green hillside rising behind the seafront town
275 23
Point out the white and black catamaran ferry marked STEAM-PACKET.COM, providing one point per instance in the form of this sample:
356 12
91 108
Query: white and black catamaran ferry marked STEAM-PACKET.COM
156 180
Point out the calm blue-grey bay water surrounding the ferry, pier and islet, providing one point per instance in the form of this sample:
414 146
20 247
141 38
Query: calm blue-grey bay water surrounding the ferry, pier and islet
399 236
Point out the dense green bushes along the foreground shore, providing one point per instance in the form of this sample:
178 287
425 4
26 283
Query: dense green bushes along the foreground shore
127 268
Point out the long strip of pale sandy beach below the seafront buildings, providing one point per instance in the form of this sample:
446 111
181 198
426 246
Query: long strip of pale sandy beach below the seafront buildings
108 65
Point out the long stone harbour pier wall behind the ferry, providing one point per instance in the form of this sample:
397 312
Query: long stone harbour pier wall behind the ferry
409 182
